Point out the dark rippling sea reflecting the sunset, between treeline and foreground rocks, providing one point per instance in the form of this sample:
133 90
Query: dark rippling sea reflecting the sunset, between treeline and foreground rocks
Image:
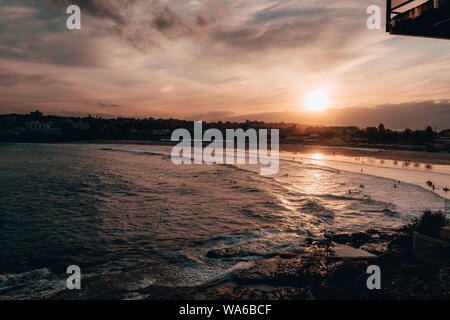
127 212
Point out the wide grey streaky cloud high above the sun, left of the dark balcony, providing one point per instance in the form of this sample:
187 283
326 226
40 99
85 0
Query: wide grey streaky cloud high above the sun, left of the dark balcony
280 28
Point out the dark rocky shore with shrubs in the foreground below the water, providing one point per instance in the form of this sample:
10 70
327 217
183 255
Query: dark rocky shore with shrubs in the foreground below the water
332 268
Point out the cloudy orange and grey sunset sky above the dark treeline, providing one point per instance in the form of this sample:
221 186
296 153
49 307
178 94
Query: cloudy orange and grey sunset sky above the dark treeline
220 60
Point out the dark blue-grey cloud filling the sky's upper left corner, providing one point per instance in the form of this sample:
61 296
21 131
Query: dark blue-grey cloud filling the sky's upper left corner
33 37
